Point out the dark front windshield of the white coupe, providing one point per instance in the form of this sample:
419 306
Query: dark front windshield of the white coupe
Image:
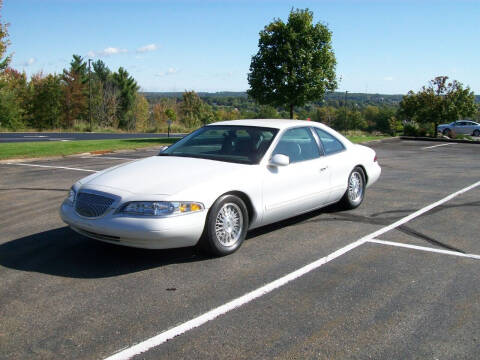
231 143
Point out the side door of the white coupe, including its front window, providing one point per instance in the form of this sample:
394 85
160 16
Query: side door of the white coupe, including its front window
300 186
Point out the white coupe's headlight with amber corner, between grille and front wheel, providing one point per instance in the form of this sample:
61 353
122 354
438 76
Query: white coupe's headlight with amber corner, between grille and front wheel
160 208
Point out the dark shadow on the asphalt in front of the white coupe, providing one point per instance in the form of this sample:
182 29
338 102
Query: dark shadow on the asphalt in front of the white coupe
62 252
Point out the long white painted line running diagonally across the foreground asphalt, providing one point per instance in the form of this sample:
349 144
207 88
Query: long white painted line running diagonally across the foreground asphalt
242 300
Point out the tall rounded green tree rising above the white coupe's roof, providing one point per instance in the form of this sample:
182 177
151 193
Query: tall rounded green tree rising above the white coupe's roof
295 62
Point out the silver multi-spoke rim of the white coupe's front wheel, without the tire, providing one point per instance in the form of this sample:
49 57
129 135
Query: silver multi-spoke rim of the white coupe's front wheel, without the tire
229 224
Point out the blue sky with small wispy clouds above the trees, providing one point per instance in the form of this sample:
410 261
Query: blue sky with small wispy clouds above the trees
387 47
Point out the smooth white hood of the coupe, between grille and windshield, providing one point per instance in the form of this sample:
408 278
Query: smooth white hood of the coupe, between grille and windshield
161 175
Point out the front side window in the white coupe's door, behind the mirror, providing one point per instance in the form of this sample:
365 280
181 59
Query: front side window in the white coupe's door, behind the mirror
298 144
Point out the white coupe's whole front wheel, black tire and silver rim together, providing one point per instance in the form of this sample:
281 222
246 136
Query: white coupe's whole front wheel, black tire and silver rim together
226 226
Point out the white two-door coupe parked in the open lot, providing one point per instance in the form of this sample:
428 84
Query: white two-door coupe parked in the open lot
220 181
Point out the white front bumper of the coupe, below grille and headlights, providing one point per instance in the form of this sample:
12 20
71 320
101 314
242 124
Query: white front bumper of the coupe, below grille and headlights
142 232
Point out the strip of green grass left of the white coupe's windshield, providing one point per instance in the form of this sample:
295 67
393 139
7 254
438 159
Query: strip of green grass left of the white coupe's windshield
61 148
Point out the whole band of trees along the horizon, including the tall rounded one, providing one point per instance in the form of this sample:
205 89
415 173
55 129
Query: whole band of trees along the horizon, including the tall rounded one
291 76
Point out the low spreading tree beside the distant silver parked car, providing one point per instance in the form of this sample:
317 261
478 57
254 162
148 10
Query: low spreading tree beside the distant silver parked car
440 101
